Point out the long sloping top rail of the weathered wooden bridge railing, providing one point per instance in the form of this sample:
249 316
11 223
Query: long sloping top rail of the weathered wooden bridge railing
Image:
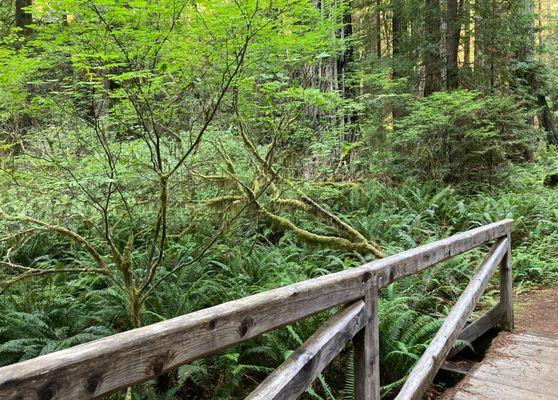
98 368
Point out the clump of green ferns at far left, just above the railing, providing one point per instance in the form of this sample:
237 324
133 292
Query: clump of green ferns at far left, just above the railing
51 320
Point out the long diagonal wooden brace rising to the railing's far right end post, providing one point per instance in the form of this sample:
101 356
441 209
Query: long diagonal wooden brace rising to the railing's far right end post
426 368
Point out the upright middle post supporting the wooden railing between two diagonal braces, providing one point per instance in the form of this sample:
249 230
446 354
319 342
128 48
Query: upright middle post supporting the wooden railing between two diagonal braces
367 350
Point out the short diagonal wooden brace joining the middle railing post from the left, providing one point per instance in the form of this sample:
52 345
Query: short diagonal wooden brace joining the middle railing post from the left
302 367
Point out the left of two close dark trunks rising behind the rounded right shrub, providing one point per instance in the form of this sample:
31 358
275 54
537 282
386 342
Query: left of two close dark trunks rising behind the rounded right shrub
432 57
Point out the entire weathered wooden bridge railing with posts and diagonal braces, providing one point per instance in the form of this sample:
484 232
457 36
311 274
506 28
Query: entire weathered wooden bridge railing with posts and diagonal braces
98 368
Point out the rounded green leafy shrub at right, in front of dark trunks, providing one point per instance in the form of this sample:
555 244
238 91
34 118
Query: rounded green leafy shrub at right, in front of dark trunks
462 136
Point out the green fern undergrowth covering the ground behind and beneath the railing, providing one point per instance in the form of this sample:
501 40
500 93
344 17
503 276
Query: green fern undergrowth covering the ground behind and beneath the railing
56 312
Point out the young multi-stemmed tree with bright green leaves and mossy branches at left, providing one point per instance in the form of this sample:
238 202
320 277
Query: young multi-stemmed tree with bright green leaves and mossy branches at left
135 90
